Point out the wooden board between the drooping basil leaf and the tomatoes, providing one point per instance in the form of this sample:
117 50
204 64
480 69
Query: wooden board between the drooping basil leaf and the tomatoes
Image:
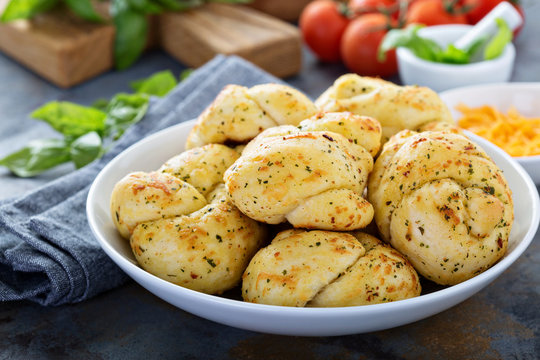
196 36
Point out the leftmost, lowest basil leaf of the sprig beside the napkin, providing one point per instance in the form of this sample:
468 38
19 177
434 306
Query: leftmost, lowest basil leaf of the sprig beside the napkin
36 157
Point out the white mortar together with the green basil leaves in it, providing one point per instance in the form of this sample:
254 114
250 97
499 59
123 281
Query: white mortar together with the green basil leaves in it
460 68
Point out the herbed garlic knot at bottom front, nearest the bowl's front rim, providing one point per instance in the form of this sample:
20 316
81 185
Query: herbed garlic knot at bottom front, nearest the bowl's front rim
328 269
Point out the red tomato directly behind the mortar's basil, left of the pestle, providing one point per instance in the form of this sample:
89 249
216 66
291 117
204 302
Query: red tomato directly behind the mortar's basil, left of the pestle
435 12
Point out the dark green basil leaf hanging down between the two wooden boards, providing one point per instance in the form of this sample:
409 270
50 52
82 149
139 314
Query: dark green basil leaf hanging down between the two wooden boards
131 33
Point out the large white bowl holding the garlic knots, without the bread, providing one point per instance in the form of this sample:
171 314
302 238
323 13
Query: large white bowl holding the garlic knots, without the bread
151 152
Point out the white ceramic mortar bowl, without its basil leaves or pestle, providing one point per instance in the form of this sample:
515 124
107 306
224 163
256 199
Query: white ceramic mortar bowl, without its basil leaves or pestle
439 76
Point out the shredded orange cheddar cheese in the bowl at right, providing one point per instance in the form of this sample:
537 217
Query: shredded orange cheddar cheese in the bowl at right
512 132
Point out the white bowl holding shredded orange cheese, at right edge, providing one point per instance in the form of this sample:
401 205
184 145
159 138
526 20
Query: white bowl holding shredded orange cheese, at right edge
523 96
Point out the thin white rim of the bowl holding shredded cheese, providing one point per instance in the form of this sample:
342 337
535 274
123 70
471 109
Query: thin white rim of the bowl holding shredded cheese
499 86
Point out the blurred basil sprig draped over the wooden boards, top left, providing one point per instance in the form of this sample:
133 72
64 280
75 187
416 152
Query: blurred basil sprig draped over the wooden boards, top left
130 17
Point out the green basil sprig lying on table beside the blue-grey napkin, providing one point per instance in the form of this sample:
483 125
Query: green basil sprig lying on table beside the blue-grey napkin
87 130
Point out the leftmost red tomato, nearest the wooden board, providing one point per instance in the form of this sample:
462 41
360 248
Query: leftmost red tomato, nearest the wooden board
322 27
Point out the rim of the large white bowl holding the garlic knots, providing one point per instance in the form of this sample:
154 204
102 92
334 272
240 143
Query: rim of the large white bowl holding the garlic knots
478 282
